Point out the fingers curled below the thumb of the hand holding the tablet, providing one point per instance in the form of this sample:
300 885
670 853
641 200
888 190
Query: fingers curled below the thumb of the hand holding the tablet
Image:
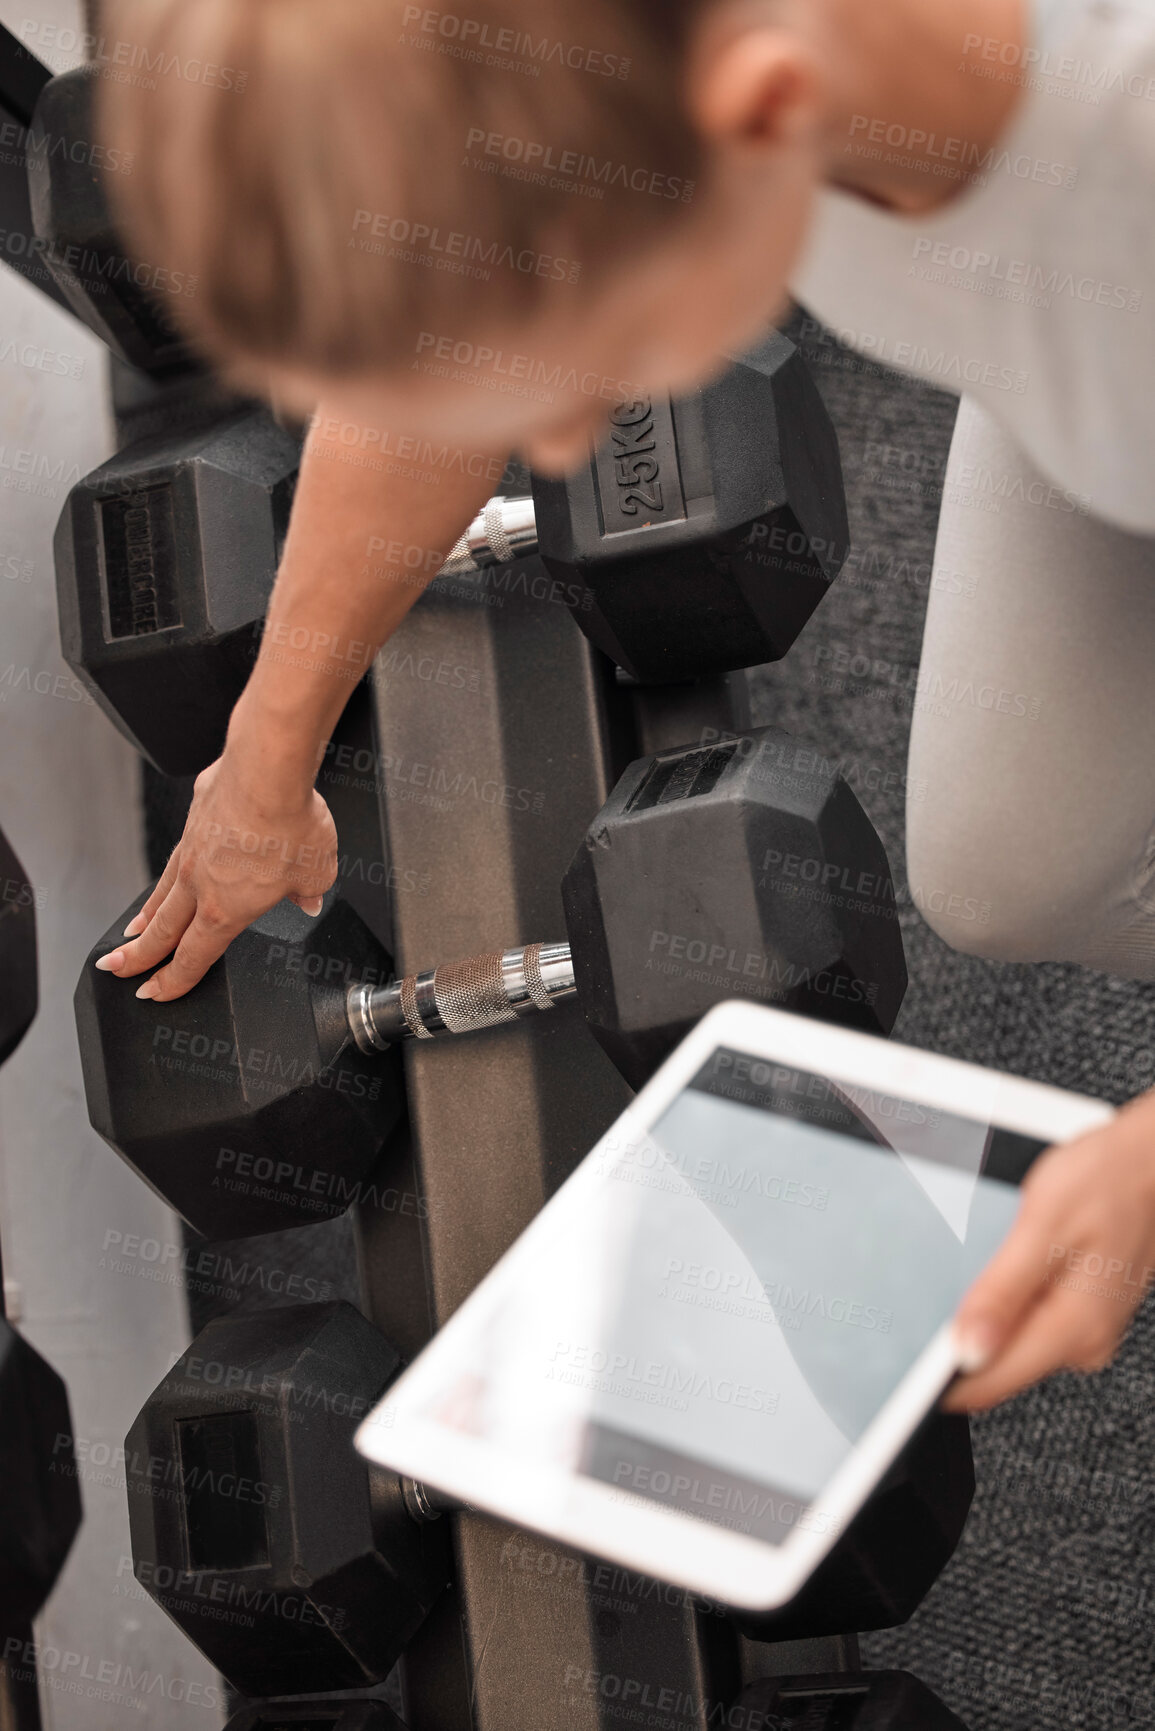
1068 1330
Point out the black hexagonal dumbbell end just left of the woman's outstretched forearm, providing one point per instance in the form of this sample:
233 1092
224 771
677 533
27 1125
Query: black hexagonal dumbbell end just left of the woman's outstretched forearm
165 560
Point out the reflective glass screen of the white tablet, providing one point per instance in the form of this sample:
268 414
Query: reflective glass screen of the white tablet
721 1316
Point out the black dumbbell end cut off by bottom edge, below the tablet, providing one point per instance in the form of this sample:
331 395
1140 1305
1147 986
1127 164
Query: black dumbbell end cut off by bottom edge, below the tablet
870 1701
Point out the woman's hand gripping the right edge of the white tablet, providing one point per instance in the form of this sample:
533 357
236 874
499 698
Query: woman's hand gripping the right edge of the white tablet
1074 1270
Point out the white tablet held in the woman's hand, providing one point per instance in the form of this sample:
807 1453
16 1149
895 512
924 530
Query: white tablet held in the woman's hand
718 1337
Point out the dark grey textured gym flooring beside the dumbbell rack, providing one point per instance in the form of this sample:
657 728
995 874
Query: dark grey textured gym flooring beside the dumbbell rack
1045 1618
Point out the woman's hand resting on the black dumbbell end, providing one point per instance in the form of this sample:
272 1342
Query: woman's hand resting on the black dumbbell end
243 851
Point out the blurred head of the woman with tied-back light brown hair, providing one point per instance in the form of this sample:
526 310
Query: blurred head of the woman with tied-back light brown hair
373 195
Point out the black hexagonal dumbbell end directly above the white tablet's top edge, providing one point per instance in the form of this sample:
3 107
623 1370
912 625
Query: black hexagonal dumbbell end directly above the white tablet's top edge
740 870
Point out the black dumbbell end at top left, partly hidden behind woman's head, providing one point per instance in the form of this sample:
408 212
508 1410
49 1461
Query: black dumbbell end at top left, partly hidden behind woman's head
124 302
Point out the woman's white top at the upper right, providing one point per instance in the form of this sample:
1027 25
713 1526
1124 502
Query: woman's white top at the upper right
1033 292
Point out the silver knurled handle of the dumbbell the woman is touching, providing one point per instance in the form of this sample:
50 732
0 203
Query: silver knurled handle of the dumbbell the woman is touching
461 998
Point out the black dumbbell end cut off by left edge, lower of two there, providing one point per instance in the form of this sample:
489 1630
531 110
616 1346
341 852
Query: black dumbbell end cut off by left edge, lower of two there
41 1502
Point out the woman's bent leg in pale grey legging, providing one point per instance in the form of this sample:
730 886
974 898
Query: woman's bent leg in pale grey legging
1033 835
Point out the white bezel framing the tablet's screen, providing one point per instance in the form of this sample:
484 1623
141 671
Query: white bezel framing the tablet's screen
629 1529
